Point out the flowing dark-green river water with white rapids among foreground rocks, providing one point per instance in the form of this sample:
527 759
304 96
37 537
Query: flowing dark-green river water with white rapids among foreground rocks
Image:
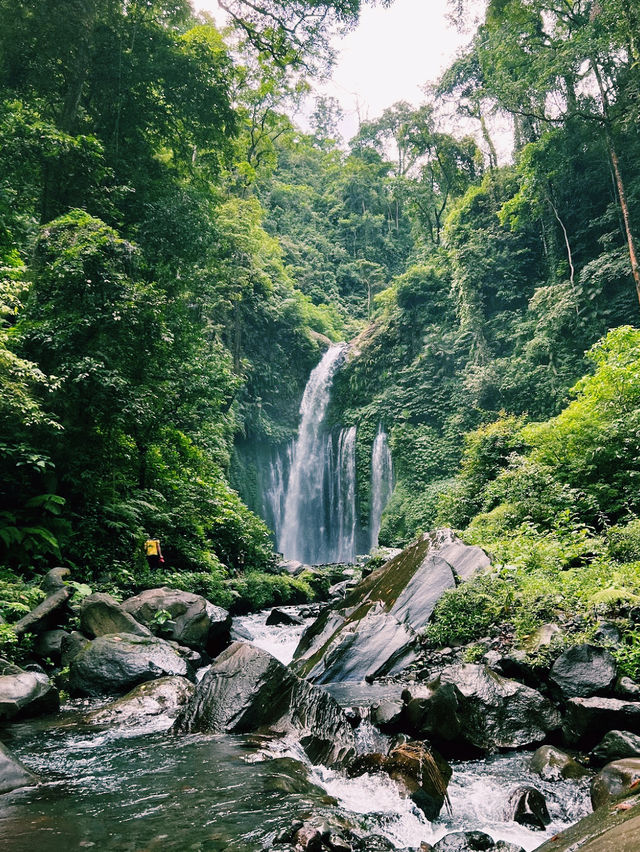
124 790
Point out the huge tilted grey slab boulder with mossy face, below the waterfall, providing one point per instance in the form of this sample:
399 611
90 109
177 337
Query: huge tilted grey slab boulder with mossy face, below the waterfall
373 630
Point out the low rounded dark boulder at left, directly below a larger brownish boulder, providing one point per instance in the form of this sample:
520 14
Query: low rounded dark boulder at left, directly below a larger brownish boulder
117 662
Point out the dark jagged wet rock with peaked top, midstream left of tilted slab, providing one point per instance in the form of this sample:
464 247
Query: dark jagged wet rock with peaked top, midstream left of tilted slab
246 690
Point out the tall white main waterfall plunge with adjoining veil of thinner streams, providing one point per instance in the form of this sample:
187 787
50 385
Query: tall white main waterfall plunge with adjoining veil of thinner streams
319 519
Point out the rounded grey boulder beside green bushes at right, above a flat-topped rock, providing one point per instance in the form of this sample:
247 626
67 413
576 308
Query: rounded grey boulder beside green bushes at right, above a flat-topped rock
583 671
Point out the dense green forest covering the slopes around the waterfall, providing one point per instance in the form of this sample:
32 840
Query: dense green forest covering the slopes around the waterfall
176 254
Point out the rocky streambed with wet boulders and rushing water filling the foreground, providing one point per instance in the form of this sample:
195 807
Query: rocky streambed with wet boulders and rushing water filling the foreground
221 746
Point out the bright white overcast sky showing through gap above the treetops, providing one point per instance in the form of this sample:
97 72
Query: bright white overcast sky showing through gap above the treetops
388 57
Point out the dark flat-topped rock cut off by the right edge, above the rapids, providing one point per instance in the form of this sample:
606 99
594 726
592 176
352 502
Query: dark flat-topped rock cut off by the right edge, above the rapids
587 720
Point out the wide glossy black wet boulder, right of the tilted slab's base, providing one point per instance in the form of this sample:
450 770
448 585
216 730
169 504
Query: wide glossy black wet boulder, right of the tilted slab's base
471 704
